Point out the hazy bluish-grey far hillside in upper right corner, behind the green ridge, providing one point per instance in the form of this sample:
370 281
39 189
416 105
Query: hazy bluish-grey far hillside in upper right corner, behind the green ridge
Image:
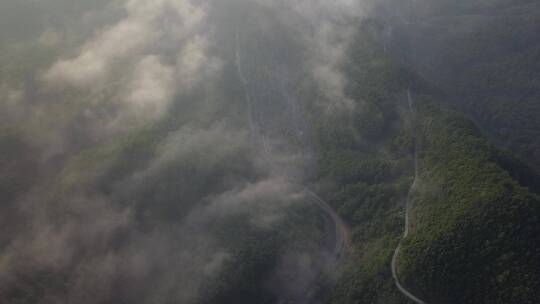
485 56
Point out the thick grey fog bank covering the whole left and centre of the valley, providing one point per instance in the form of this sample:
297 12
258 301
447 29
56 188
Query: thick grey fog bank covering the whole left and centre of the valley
134 139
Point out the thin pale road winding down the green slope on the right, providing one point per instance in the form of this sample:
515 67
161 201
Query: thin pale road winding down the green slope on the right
399 286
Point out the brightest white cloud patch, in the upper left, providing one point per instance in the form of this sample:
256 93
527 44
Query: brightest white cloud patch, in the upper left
133 59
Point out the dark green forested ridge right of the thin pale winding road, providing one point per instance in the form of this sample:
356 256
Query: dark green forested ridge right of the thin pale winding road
476 228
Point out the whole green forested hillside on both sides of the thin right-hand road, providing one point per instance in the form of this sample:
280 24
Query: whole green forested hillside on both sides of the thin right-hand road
473 227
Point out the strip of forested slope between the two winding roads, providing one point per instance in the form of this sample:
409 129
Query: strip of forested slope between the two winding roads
365 156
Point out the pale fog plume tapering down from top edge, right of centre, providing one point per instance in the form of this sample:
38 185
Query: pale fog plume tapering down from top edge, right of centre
328 28
